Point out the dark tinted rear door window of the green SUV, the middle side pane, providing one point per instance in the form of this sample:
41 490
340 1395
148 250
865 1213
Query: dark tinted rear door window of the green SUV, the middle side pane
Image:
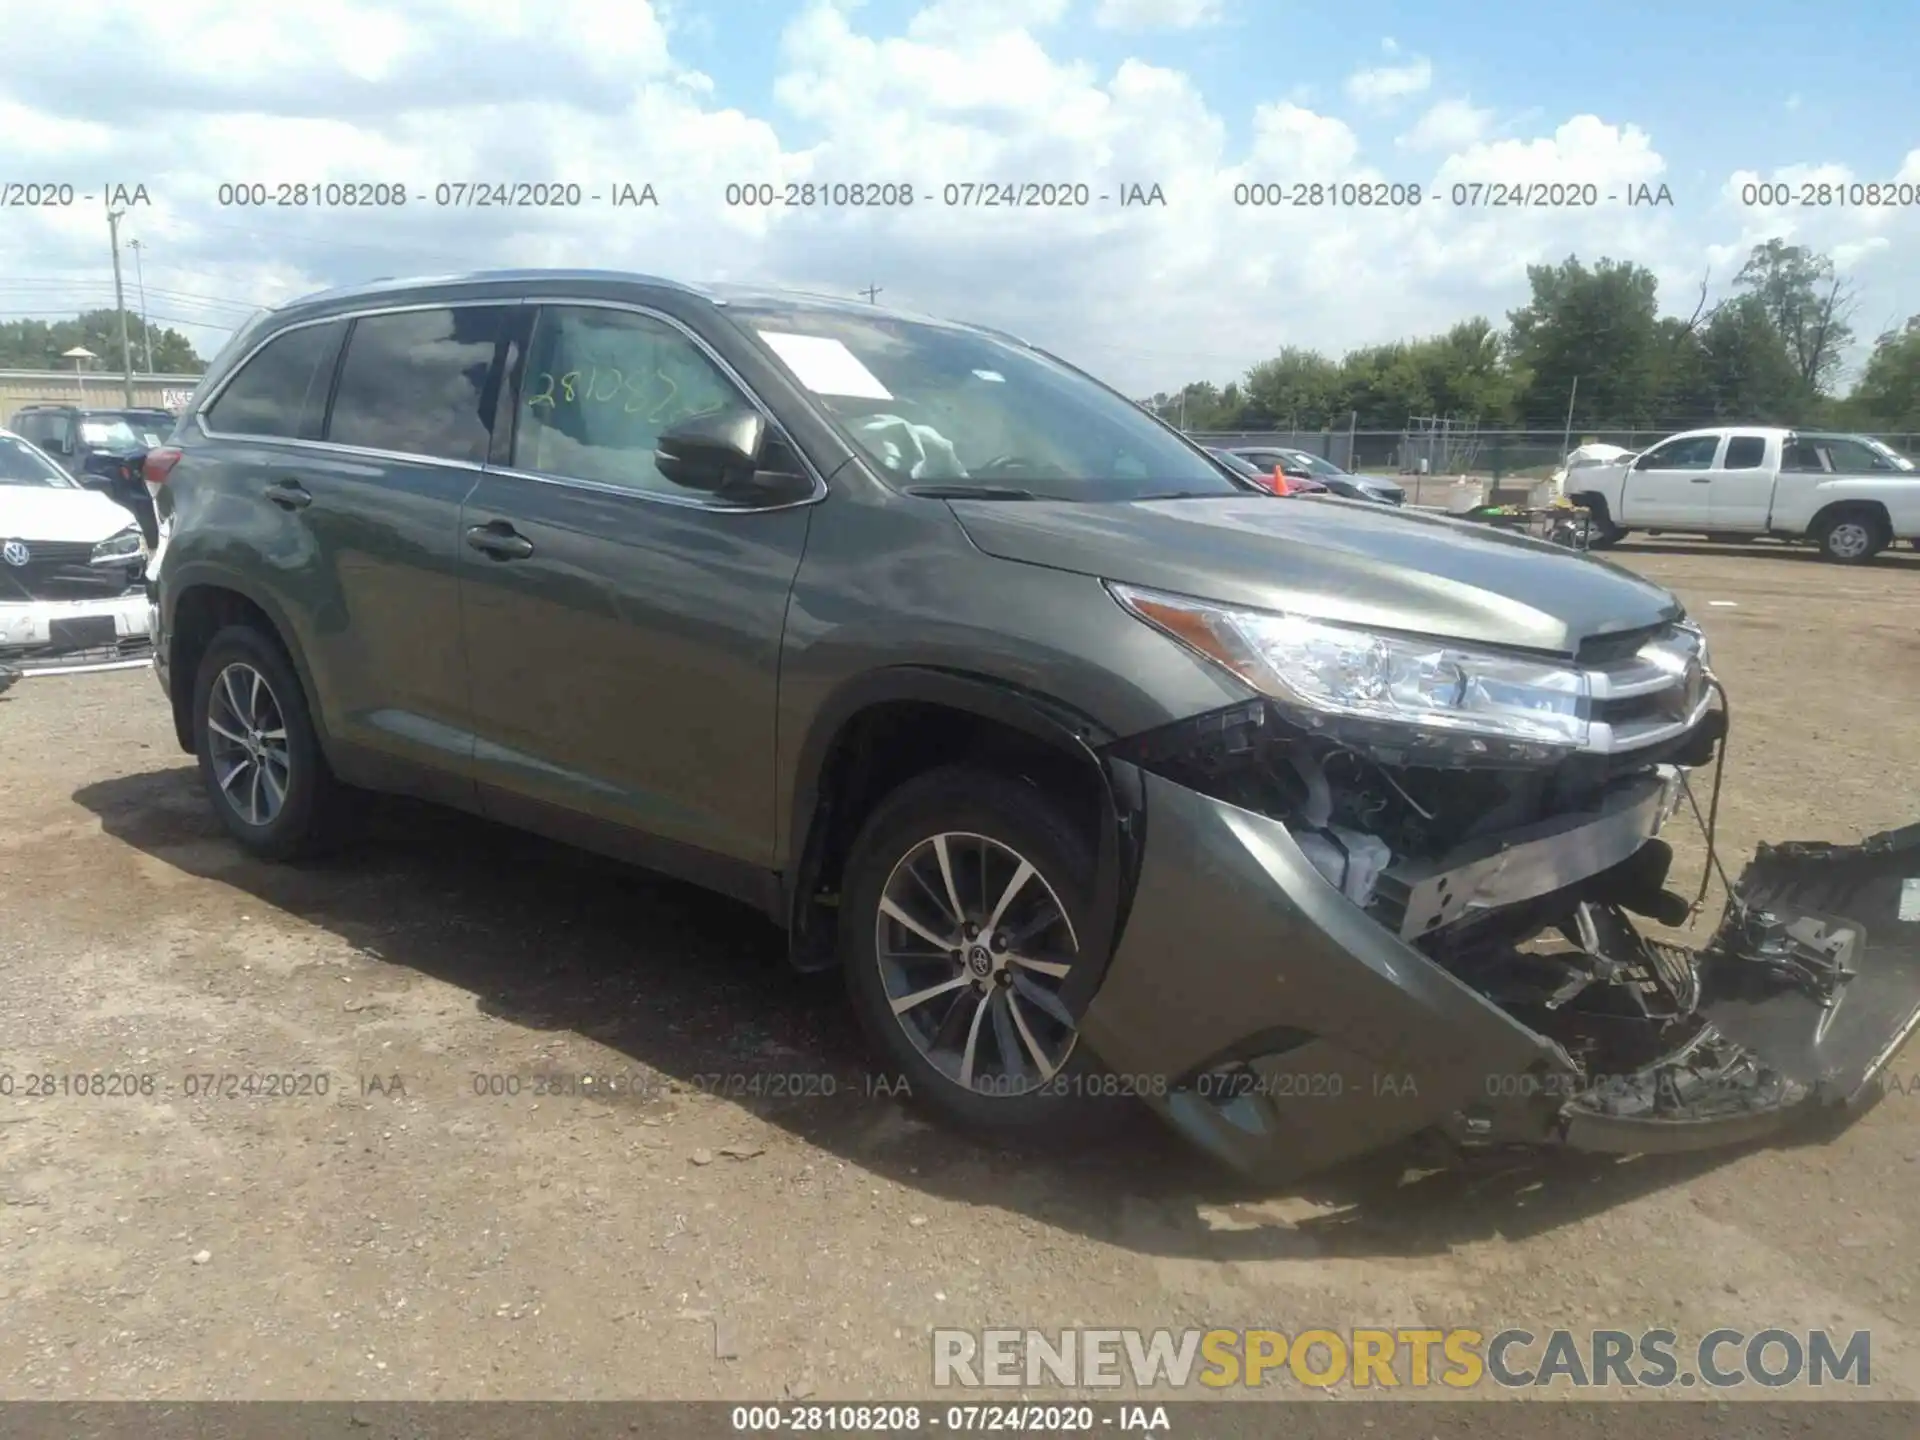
418 383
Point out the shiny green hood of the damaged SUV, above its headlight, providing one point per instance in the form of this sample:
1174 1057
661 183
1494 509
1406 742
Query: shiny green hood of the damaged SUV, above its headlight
1345 562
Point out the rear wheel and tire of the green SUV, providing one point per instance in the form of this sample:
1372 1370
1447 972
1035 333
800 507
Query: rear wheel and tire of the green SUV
260 757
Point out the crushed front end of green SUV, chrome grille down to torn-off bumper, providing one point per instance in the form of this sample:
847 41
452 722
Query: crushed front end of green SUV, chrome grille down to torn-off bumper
1347 930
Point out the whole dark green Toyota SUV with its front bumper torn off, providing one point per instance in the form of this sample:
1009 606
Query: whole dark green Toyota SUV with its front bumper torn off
1103 777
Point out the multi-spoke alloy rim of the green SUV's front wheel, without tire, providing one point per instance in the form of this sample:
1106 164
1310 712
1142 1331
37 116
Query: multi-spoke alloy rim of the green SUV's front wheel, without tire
974 949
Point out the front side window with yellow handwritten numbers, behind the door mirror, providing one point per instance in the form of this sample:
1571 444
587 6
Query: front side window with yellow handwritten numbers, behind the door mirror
602 387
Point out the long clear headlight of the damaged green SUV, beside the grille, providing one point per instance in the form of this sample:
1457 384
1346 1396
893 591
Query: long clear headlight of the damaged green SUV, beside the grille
1404 683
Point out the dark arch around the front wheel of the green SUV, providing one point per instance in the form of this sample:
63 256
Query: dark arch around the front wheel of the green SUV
886 727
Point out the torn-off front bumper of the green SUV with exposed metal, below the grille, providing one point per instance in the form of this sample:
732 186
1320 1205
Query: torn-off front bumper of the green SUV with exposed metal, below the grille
1301 1022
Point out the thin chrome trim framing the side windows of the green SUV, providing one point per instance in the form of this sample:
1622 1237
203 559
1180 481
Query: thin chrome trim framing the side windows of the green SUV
514 471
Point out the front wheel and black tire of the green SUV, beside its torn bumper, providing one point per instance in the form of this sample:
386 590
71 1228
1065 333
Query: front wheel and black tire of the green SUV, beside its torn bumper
965 907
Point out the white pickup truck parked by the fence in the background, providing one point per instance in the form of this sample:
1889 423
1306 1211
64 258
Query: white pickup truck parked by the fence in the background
1848 494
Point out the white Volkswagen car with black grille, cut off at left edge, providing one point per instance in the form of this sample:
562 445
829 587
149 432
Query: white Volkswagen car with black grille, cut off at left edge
72 567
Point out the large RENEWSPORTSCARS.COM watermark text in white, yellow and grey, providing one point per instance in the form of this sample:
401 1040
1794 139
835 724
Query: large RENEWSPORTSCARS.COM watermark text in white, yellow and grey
1393 1358
